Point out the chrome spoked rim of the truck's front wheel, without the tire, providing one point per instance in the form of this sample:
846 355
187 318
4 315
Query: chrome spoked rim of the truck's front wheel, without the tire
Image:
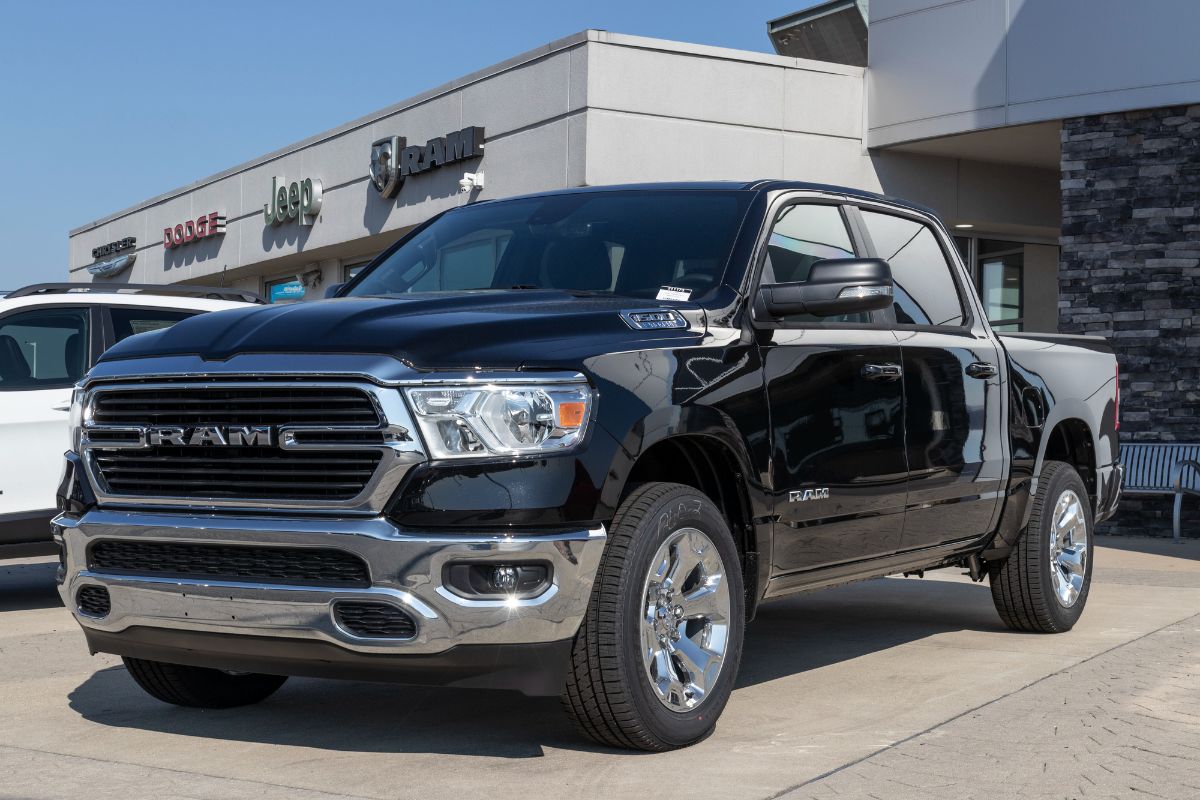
686 619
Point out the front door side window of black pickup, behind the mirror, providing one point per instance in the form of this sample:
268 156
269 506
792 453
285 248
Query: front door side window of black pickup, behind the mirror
802 237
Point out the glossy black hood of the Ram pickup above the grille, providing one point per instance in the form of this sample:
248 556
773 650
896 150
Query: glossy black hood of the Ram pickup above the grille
435 330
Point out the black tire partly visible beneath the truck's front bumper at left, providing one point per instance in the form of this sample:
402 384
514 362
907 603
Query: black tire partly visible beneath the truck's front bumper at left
200 688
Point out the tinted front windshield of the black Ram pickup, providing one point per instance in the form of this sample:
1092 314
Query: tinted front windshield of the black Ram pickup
621 243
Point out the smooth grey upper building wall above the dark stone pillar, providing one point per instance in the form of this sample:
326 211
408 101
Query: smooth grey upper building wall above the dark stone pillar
940 68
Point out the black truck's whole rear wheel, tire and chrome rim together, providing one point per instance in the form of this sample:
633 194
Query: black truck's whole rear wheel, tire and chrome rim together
1043 585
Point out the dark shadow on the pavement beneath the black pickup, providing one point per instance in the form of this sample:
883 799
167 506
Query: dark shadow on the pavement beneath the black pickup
788 639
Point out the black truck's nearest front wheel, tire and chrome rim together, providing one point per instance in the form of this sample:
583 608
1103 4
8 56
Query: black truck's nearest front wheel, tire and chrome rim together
657 655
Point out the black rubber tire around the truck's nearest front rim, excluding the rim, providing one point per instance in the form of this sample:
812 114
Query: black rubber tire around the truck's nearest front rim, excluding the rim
609 691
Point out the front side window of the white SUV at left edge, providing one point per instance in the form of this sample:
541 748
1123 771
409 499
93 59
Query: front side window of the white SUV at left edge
46 348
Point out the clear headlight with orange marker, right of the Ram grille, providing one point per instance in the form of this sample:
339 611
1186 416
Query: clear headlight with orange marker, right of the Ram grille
501 420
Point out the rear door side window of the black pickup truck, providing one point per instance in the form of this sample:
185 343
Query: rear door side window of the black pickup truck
926 293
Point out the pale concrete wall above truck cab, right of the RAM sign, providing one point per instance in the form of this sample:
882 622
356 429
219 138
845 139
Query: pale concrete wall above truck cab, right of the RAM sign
711 115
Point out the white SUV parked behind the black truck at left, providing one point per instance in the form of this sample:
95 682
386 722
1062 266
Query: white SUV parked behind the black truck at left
51 334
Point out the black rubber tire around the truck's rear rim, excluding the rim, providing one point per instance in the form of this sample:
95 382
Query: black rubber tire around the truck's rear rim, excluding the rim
1023 587
